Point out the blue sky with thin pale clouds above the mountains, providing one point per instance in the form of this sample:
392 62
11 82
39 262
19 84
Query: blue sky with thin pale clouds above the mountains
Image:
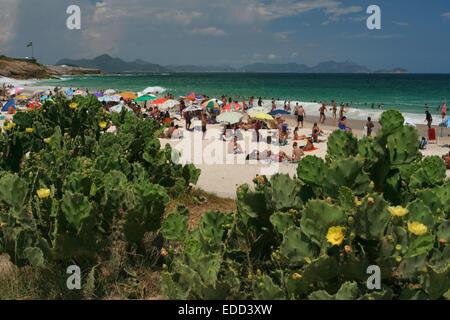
415 34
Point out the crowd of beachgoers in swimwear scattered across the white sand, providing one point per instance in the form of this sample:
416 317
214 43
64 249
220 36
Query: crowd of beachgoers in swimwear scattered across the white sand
231 134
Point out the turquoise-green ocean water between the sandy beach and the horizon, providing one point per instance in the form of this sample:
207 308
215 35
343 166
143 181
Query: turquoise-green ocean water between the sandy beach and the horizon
405 92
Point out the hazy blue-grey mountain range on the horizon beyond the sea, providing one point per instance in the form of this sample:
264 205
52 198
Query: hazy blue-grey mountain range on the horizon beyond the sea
108 64
